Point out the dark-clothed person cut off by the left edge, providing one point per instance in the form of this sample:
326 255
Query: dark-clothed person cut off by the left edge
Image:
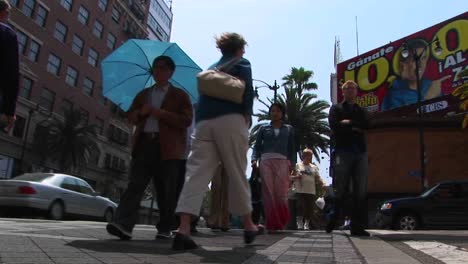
9 69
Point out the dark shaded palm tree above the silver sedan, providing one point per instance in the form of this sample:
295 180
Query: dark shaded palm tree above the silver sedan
70 142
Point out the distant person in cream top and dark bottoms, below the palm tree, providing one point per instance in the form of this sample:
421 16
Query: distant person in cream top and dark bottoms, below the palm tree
305 184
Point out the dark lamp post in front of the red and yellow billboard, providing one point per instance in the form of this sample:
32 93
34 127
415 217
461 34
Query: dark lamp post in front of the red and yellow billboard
416 49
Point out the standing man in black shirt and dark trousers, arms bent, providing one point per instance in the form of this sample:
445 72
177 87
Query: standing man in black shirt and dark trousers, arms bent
349 162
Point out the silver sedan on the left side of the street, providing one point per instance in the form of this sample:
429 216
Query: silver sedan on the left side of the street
56 195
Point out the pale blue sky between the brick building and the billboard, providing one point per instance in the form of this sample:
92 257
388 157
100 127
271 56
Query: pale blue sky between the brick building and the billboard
301 33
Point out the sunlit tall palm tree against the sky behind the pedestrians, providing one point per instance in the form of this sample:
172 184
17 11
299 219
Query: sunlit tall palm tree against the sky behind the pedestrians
306 114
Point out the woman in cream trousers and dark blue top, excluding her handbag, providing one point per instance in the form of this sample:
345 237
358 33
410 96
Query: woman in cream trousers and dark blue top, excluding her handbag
221 135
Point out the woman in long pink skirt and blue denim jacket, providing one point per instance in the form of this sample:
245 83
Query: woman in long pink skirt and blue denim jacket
274 147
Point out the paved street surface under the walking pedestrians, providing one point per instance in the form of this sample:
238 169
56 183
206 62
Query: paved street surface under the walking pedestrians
43 241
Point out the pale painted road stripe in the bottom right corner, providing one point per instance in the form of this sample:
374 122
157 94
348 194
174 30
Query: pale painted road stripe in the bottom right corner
443 252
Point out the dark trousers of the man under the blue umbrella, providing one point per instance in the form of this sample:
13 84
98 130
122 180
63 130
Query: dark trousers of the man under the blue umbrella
147 165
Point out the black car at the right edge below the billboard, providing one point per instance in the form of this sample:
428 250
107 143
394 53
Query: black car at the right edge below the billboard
444 206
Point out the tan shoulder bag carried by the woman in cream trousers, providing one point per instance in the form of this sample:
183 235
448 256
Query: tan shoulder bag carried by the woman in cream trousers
221 85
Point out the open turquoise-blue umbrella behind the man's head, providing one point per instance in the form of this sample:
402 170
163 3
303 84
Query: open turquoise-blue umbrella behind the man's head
127 70
